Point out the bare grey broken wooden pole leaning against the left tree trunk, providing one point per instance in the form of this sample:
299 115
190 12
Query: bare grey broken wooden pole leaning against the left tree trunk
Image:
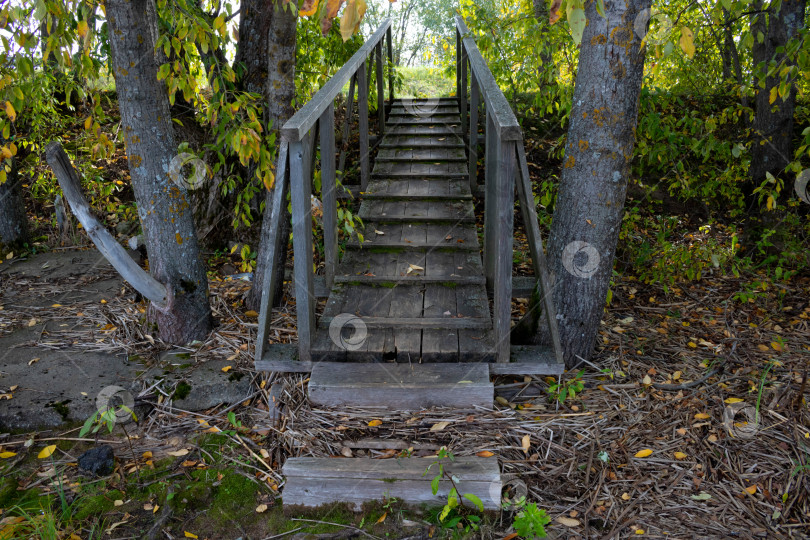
136 276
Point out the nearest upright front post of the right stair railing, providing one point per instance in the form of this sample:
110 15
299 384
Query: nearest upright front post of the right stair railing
505 202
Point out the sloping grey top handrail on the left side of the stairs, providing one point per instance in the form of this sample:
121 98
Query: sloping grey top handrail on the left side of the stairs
307 116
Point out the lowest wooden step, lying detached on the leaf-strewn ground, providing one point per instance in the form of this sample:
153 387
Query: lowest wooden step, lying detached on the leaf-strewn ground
312 482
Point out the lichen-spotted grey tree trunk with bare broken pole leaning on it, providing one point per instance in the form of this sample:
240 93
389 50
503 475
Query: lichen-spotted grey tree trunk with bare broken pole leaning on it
163 208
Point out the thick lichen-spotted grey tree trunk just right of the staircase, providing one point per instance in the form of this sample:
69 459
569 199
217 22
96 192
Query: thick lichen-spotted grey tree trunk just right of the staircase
590 201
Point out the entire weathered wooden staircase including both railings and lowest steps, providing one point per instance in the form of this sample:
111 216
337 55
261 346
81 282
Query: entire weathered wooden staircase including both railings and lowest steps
418 313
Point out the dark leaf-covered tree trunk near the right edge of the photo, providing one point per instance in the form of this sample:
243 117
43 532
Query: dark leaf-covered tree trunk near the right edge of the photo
772 147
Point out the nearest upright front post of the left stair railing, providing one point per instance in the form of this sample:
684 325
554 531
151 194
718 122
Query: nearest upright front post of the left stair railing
301 194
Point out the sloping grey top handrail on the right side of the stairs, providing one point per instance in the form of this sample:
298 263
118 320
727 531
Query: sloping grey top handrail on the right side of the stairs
505 120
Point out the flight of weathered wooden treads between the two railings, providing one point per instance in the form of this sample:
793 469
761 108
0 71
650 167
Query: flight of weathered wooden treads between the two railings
415 283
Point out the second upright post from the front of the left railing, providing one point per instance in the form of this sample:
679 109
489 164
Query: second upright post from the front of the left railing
329 193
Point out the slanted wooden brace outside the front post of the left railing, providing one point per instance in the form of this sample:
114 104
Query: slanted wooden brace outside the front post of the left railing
275 201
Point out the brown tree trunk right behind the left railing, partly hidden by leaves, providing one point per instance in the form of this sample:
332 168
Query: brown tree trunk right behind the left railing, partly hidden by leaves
278 65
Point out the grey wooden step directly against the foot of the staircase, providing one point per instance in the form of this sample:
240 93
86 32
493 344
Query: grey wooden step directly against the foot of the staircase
401 386
